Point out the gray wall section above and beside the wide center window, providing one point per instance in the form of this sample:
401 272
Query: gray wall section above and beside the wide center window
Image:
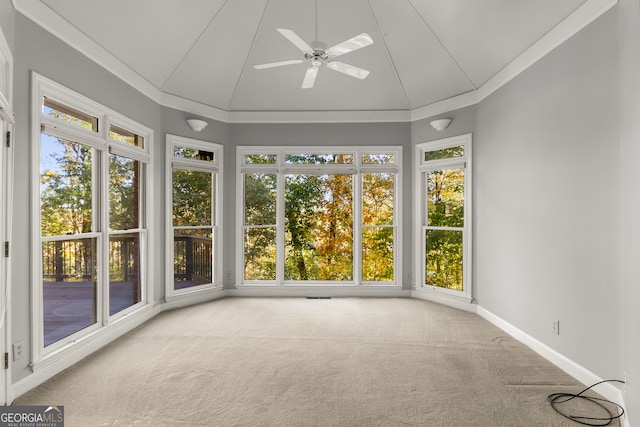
322 134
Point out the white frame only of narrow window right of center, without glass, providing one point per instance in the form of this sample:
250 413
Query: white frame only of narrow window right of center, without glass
421 168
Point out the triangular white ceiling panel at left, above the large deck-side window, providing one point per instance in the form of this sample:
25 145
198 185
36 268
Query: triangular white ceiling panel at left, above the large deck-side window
150 36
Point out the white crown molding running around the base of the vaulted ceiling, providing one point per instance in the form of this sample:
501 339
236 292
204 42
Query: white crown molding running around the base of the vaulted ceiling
46 18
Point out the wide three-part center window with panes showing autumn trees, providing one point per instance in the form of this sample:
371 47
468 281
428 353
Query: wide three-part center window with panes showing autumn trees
312 216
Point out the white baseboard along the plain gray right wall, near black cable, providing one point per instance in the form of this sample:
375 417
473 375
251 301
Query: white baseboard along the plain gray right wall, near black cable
586 377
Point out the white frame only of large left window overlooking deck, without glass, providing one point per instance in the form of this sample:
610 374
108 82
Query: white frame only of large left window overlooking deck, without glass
100 143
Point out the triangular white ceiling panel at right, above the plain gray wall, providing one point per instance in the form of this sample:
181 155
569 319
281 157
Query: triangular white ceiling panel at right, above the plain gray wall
485 36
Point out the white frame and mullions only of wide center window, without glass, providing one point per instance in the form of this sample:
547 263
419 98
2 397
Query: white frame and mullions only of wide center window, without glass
357 169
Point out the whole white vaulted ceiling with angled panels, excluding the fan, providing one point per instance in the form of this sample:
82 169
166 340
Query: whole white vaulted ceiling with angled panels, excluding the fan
201 53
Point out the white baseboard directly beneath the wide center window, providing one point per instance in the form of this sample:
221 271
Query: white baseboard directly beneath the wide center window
319 291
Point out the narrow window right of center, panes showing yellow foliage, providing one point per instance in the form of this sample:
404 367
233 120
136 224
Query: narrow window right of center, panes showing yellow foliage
444 203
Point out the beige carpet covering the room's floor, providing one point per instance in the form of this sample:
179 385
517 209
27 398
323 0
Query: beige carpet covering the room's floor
305 362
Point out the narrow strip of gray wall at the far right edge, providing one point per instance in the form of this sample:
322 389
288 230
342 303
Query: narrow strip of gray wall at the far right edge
629 39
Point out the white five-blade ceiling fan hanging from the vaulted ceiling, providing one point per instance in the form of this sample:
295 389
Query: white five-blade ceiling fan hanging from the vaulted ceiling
317 55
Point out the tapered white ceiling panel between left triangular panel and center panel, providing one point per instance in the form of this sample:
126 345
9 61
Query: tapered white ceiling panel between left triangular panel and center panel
211 70
